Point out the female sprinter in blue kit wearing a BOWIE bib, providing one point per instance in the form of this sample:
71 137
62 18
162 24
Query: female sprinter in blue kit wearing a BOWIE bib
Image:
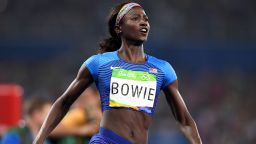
129 82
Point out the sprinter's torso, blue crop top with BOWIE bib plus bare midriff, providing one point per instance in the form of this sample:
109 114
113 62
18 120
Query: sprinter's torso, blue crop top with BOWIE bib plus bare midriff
129 92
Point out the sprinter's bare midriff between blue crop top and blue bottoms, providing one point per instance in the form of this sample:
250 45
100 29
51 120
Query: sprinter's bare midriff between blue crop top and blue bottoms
129 124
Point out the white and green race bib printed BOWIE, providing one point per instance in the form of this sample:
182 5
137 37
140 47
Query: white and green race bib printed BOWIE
133 89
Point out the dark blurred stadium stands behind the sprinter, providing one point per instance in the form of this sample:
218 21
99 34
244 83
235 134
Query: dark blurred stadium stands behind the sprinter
210 43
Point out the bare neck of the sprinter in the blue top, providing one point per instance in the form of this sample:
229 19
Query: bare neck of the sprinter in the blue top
132 52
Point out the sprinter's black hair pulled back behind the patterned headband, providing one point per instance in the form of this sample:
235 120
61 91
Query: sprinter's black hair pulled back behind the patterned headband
114 41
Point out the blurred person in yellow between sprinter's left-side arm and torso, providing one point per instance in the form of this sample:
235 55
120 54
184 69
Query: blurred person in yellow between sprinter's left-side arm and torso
82 120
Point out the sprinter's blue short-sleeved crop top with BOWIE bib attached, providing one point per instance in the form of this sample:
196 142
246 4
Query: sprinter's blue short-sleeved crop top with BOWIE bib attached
126 85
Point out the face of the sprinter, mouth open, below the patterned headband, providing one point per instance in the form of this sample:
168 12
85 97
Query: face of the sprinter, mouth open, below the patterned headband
135 25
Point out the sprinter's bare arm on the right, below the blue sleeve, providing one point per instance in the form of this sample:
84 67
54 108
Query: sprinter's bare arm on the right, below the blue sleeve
181 113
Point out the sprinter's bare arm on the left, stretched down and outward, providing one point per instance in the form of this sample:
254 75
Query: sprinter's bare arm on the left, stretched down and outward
63 103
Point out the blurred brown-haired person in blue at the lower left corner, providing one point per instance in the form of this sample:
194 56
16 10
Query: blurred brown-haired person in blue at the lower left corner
36 109
